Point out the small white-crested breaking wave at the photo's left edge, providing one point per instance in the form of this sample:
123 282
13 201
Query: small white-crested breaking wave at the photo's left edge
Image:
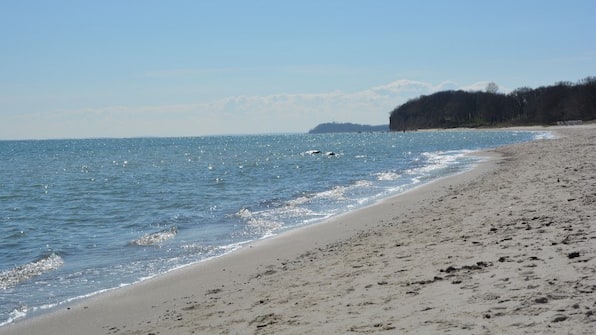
20 273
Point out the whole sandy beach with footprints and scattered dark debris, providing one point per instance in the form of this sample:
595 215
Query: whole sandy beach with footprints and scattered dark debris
507 248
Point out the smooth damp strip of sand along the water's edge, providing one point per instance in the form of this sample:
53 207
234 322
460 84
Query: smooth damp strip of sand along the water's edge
254 250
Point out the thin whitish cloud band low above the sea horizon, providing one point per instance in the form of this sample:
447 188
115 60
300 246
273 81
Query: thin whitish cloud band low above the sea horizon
277 113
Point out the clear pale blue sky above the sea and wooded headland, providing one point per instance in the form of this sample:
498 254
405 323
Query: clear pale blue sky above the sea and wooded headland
126 68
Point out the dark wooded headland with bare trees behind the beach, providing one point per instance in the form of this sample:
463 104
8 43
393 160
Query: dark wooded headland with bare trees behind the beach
564 101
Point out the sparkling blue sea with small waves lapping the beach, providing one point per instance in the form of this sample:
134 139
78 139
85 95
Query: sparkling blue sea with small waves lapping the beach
80 217
